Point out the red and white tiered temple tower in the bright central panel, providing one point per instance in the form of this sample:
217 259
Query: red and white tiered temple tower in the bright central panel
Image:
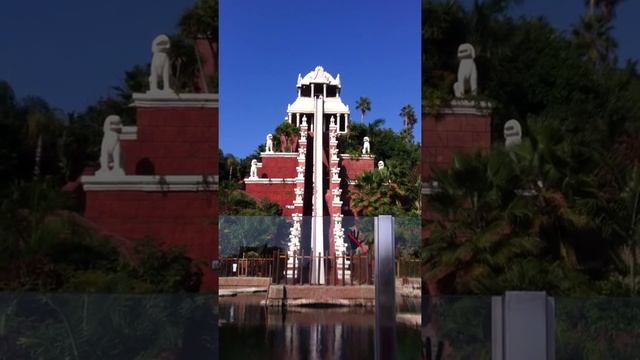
311 179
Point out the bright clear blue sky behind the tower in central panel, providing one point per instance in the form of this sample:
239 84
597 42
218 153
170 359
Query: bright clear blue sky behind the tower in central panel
373 44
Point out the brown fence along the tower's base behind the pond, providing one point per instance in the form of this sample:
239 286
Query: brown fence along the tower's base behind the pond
338 270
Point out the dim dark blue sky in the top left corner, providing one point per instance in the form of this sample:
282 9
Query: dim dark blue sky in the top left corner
71 52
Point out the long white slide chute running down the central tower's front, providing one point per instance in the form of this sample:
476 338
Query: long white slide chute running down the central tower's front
317 241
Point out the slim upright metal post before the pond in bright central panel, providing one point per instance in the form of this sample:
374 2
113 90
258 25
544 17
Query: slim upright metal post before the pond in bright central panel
385 288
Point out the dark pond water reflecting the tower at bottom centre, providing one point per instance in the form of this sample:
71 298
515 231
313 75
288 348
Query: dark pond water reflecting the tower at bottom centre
251 331
